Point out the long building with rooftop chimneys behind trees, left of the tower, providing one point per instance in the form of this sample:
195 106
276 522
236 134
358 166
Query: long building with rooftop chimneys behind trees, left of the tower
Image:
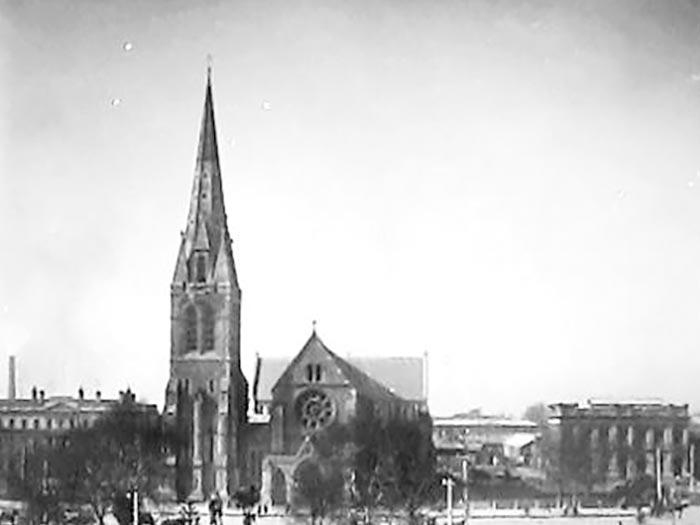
26 423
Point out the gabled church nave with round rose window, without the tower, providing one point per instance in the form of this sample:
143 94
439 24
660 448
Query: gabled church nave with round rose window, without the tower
316 389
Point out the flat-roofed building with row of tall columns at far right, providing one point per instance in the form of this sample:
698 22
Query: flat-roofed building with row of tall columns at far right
602 443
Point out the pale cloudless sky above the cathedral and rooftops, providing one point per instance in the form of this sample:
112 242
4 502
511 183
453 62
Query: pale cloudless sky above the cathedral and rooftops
511 186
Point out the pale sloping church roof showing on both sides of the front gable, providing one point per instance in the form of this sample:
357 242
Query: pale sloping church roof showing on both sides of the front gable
404 376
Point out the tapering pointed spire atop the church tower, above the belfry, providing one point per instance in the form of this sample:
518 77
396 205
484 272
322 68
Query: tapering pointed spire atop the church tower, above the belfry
206 221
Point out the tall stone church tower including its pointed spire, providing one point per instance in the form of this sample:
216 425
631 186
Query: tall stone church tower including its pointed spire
206 396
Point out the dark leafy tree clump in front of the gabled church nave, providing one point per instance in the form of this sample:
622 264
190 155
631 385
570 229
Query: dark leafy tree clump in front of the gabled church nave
373 462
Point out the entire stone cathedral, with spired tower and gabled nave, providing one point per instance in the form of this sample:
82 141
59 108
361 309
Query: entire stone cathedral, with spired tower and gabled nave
223 445
